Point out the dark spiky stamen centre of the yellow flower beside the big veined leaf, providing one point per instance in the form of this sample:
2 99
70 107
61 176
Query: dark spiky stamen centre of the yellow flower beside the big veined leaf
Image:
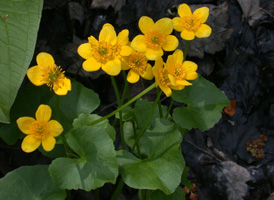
53 76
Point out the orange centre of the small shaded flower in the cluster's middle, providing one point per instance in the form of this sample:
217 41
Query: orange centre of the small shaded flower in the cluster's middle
138 62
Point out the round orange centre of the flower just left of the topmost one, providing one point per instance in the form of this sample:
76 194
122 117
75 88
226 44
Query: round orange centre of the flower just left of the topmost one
154 39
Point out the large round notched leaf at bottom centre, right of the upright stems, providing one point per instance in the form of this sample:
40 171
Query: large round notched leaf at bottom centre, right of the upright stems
163 167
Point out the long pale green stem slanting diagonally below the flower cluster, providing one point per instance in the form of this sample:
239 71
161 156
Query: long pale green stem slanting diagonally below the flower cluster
125 105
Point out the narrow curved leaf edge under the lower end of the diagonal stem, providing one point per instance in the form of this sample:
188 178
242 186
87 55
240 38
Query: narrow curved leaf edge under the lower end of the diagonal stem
86 118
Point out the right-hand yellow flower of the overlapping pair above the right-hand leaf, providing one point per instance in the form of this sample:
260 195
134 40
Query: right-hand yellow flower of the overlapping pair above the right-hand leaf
179 70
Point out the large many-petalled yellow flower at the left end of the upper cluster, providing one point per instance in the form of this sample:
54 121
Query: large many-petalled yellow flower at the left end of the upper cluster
106 52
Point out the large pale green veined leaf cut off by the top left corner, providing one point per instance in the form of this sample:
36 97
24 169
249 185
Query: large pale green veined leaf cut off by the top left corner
18 30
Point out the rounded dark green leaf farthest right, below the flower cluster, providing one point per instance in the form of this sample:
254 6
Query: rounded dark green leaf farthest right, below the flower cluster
205 103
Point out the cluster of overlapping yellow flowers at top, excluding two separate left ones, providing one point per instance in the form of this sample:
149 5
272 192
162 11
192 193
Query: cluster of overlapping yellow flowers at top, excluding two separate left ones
113 53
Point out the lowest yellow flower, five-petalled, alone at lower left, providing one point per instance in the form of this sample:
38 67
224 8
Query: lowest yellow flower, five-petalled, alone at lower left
40 130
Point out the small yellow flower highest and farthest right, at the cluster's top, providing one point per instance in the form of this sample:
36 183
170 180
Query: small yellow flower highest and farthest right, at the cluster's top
191 25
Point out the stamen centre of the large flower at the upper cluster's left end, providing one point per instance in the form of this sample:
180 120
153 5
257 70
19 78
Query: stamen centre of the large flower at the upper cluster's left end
103 52
